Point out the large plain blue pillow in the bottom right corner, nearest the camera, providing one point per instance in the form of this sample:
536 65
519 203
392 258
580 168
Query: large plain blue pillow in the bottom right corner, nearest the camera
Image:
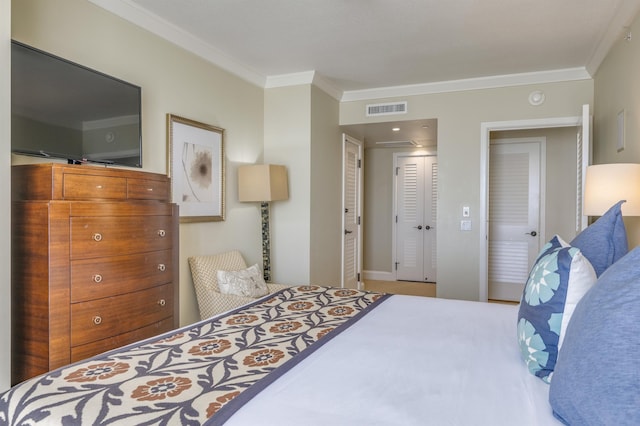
597 377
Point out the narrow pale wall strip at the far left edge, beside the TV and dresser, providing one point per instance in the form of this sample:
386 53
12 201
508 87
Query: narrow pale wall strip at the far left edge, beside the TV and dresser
5 195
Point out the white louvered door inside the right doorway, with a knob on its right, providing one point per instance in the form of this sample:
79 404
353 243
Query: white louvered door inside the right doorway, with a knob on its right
514 215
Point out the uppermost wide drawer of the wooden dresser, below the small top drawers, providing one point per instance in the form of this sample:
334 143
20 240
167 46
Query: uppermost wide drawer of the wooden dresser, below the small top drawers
112 236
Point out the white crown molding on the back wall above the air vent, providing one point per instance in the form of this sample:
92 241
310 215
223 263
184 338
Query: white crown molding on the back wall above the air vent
491 82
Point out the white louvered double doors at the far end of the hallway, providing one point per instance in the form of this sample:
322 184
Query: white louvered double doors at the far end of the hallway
416 202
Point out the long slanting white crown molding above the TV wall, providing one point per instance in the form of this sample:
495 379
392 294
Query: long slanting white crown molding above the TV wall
133 13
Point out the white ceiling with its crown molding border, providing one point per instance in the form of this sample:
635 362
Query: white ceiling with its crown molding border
365 49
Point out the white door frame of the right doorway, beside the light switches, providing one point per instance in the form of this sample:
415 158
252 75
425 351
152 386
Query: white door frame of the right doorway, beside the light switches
485 135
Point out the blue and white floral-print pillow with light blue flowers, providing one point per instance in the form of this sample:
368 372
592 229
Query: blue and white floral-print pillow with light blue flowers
559 278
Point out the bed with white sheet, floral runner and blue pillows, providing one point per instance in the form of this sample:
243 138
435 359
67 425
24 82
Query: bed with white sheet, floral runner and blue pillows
311 355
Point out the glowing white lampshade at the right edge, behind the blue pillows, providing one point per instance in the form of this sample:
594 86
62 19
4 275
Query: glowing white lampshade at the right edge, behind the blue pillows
606 184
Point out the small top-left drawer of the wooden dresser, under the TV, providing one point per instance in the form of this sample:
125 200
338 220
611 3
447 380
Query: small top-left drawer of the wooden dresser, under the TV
77 186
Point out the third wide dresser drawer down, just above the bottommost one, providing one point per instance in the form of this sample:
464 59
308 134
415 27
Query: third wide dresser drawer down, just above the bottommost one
101 318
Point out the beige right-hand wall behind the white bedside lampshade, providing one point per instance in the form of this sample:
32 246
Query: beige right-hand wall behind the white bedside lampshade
617 88
